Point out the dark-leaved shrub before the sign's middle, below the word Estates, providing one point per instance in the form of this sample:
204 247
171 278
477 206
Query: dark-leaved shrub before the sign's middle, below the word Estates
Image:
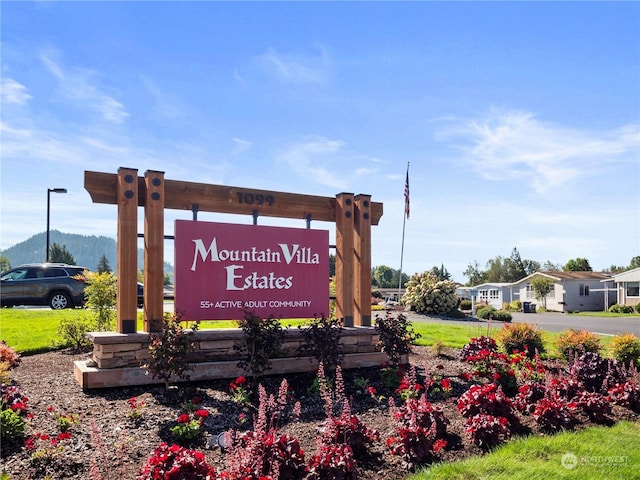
263 340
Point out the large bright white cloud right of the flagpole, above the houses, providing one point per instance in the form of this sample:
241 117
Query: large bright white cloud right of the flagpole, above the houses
506 145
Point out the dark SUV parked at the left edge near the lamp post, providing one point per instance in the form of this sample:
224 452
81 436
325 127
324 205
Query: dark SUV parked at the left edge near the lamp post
50 284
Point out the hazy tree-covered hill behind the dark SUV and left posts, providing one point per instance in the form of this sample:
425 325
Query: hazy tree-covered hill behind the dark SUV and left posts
86 250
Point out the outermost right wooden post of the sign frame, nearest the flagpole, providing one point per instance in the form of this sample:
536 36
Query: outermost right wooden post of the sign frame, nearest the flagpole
362 283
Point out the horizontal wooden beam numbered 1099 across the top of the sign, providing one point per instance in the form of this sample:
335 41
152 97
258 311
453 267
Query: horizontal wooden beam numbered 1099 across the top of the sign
181 195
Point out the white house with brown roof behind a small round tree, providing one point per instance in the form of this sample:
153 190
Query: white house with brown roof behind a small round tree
572 291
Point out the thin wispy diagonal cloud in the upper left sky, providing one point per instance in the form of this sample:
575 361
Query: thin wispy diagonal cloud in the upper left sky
79 86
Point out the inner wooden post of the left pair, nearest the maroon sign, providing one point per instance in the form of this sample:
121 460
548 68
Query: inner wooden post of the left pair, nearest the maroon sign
154 251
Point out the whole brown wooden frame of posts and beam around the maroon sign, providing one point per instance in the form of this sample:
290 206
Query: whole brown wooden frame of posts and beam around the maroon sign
352 214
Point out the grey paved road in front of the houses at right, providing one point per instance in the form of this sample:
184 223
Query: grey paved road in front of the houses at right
555 322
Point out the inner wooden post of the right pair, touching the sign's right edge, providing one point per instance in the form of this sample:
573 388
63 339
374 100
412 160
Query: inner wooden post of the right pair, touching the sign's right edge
345 263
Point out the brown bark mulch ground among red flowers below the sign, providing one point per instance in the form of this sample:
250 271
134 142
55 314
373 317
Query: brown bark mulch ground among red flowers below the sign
107 444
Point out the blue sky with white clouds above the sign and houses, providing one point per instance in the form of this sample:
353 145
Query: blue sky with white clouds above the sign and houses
521 121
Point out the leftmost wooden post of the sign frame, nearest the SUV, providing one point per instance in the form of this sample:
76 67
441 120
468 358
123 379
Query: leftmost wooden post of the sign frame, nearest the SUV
127 249
